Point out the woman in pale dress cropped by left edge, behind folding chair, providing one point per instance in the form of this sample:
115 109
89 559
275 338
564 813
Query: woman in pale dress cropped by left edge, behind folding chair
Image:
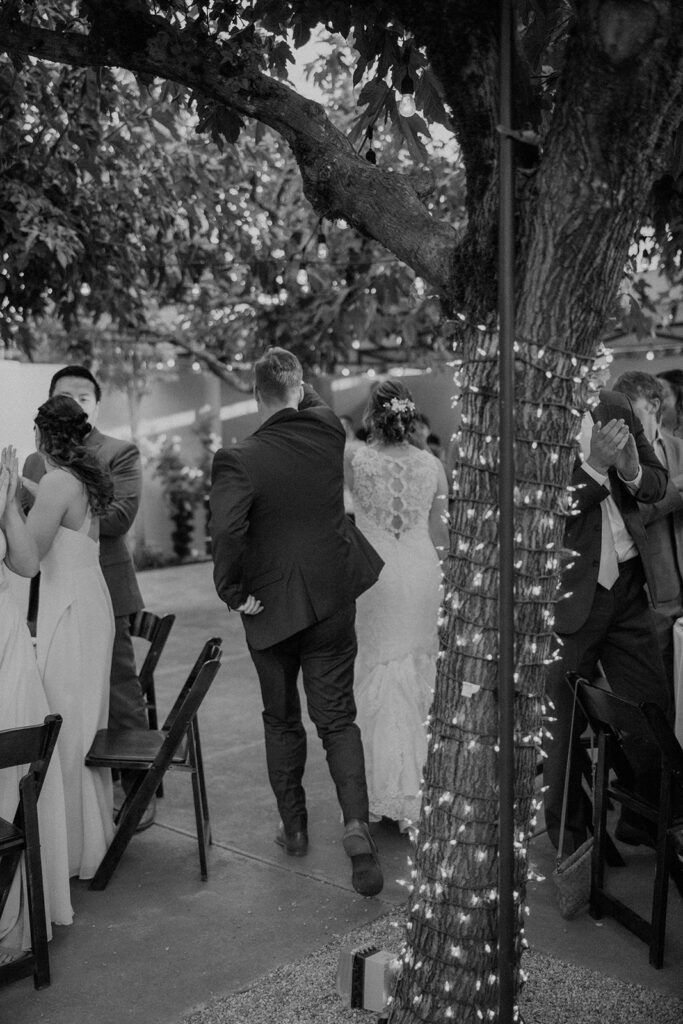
23 703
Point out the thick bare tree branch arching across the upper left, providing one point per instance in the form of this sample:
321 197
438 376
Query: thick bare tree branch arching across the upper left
338 183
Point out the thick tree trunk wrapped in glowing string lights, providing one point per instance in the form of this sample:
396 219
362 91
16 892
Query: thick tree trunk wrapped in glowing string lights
582 210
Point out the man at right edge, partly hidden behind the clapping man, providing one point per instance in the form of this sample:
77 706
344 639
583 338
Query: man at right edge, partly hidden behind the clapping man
664 520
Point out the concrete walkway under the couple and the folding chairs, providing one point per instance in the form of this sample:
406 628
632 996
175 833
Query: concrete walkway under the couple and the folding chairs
159 944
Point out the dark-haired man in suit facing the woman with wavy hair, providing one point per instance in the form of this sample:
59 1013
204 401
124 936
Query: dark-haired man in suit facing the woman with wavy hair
123 460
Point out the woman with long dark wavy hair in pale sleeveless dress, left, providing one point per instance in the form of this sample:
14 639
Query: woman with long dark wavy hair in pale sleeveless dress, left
75 629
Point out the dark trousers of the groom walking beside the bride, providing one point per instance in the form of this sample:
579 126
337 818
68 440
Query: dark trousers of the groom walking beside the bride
325 653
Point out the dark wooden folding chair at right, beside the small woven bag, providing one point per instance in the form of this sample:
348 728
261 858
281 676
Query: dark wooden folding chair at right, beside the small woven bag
614 720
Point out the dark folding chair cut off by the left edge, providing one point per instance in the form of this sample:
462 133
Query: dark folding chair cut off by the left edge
32 746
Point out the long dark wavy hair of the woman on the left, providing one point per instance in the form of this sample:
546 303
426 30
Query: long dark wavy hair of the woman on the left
64 428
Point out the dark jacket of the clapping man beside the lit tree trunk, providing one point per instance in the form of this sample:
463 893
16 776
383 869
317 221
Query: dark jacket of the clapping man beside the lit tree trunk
584 529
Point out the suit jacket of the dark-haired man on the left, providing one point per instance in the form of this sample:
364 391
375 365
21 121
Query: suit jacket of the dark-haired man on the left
123 460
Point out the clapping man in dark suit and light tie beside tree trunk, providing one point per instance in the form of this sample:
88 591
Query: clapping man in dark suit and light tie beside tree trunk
603 613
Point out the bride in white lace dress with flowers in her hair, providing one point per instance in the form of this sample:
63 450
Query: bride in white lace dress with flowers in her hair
401 505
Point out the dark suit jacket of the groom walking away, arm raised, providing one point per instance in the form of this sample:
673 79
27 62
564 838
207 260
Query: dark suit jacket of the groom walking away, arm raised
278 525
